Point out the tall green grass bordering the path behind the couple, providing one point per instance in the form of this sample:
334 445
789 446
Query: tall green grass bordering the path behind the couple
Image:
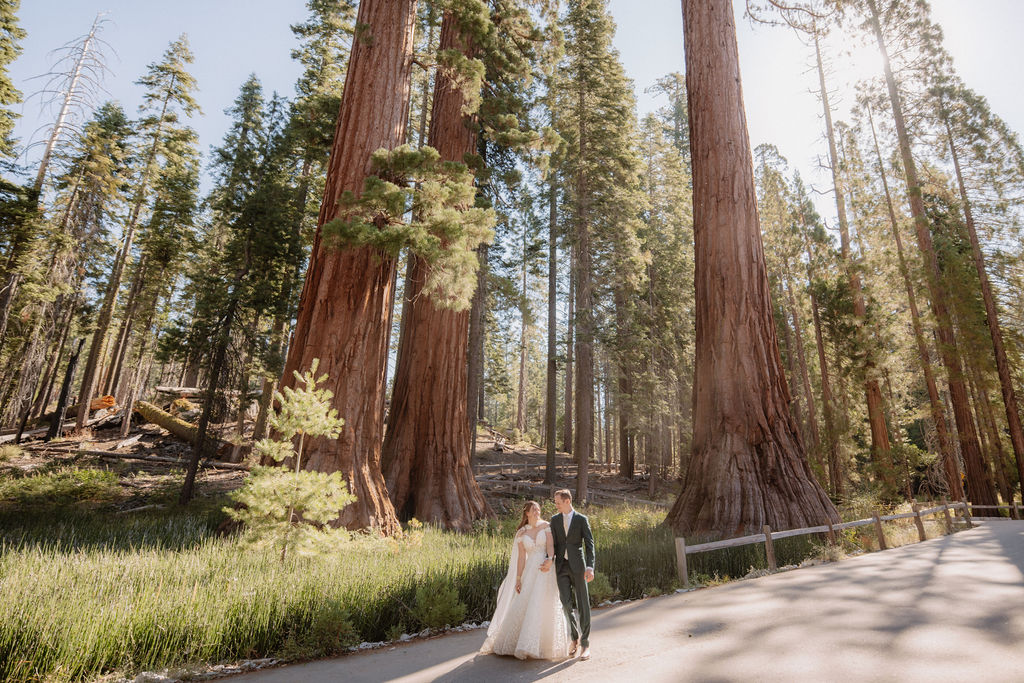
84 593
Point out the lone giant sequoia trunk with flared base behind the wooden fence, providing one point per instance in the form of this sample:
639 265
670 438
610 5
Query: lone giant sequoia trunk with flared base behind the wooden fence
748 468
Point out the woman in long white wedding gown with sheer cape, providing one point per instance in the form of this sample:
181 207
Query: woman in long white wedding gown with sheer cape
529 622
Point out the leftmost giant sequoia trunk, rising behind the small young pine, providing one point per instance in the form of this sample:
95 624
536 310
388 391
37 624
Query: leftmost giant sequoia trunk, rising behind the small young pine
348 292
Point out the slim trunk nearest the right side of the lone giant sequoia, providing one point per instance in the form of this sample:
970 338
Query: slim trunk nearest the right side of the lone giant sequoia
876 417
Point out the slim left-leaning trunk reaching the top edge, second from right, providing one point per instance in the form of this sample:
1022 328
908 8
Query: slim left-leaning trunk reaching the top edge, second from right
979 486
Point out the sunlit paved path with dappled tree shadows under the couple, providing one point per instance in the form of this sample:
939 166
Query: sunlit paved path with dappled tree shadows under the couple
947 610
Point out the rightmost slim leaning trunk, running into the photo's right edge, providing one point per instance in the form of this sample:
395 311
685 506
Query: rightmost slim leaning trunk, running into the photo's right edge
992 318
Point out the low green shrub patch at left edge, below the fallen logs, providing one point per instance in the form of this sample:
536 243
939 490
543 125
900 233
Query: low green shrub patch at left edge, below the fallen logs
65 487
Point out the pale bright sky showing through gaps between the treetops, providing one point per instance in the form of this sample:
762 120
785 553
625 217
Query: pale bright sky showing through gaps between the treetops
235 38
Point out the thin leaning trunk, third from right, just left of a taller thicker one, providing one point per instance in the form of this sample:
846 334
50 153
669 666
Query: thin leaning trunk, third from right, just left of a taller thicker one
950 466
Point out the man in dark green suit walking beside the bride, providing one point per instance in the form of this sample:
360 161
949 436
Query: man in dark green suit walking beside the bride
574 567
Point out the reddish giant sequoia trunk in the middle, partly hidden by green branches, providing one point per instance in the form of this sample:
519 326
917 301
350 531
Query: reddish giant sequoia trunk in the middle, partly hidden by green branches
425 458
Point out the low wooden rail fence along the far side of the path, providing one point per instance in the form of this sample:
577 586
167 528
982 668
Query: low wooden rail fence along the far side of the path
769 537
